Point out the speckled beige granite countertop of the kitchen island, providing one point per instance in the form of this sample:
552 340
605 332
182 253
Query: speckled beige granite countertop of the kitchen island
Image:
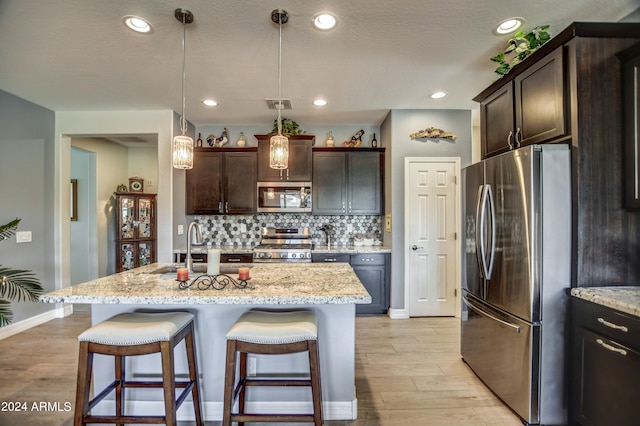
270 284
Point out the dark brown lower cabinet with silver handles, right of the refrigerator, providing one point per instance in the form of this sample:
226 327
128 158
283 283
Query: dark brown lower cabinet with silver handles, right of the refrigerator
605 365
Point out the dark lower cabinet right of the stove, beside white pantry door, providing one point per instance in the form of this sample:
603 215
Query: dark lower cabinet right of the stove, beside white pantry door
373 269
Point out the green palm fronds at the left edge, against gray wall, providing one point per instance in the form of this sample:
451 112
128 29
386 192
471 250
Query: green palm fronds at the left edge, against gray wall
17 284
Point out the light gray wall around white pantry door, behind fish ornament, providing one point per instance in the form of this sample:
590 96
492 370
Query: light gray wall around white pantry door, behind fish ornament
395 131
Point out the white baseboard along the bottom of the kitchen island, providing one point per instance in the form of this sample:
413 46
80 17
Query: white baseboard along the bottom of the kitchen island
331 410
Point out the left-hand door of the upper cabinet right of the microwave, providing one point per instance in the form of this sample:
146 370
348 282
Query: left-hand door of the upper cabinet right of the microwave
329 183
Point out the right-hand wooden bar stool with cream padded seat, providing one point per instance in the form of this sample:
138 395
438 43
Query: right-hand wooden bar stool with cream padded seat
271 333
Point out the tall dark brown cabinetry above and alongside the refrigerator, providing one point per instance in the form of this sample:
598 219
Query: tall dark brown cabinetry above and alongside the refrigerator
587 114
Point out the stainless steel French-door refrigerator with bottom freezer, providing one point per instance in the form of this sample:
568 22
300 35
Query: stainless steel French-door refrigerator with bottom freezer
517 213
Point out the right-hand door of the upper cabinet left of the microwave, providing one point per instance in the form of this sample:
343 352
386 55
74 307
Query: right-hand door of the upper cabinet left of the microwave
240 179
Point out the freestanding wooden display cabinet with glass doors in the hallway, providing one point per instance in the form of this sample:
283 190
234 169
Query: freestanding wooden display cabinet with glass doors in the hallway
136 230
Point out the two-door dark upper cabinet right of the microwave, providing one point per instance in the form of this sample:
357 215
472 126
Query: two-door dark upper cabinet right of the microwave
348 181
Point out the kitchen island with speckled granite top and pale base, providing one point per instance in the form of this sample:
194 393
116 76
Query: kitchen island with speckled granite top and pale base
330 290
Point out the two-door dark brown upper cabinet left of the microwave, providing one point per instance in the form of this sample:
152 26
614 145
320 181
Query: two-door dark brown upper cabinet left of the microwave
222 181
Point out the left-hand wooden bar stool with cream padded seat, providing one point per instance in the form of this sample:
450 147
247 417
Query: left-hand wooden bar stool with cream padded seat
137 334
